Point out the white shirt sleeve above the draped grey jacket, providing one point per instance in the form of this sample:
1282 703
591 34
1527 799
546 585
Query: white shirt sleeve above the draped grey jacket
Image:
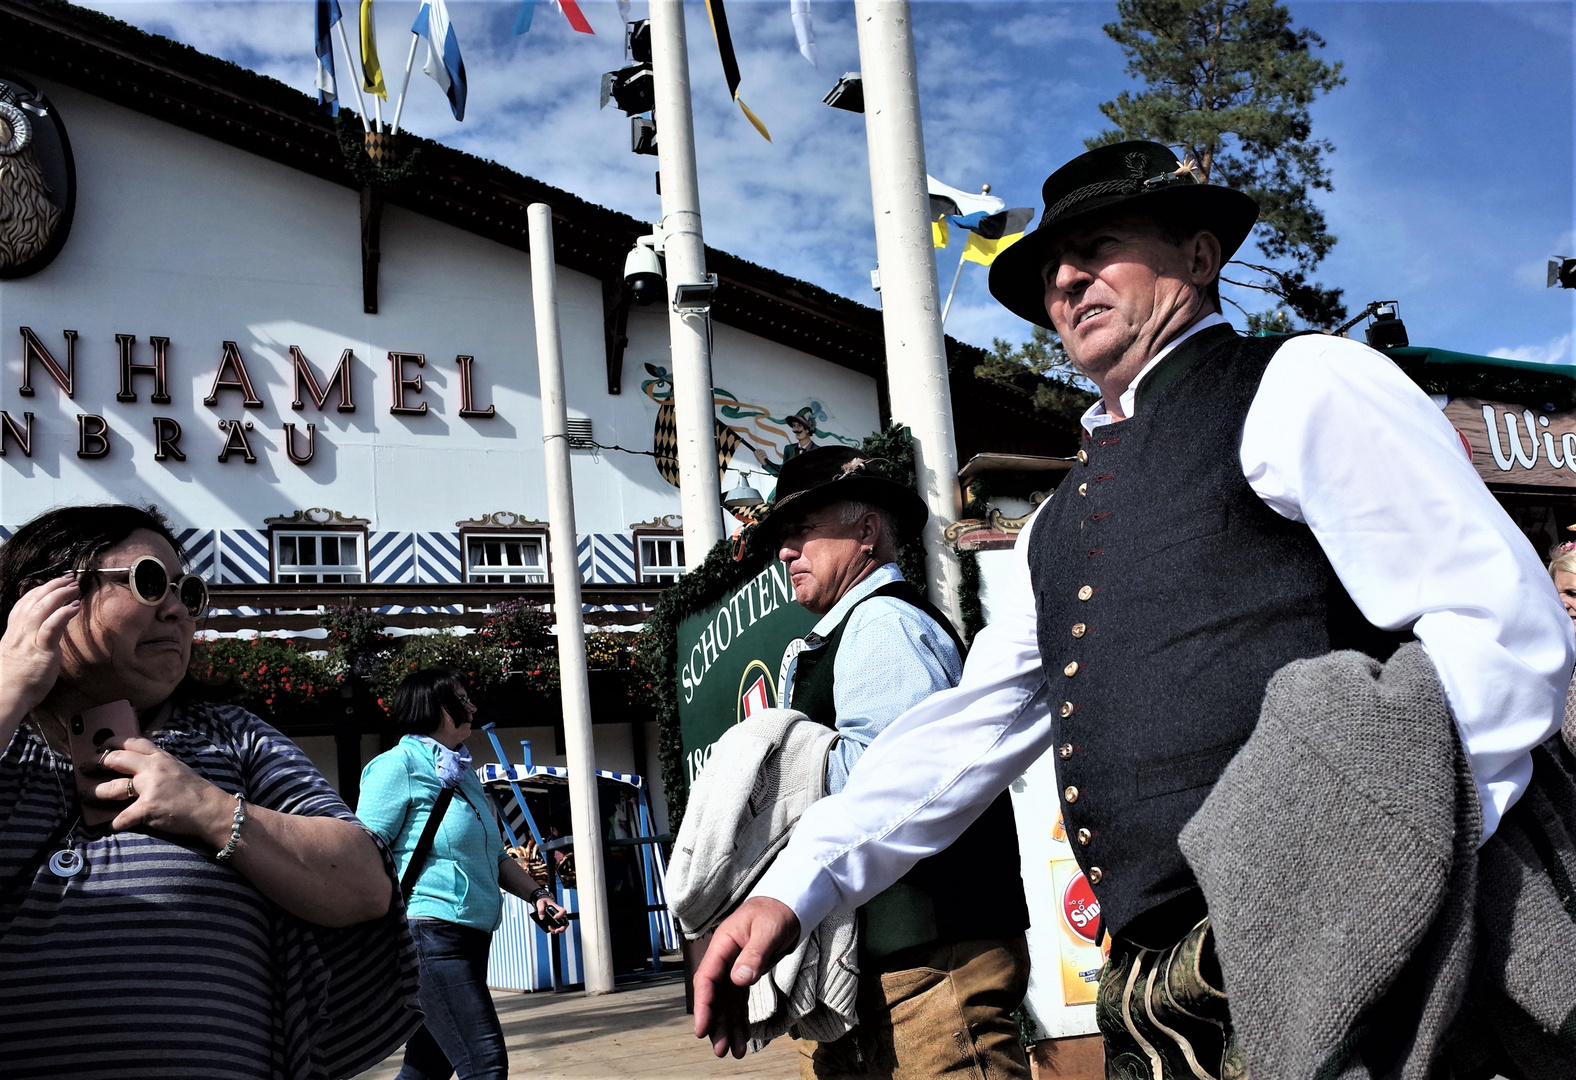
1340 439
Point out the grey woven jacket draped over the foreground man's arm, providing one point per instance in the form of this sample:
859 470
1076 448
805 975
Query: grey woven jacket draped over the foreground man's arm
1361 931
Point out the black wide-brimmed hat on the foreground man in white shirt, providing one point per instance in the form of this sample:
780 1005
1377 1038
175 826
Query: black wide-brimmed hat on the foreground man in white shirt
1126 177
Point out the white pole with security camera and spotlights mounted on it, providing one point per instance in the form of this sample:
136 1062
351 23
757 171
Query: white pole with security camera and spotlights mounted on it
694 414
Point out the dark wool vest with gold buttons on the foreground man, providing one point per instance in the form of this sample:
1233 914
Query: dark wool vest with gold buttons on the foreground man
1169 595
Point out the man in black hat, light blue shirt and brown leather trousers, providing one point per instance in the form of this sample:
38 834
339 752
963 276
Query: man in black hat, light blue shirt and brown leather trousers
880 649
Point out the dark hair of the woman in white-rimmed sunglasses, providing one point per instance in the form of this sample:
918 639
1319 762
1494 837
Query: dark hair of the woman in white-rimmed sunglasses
72 538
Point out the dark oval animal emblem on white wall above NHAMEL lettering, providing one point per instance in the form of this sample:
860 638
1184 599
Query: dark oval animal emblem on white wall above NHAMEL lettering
39 181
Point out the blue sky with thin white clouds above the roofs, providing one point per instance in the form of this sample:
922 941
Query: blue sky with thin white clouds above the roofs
1455 135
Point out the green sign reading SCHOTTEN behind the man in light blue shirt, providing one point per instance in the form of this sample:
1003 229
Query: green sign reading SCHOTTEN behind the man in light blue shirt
730 655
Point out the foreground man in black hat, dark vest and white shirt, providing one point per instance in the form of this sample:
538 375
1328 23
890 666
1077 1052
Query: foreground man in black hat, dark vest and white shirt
1238 504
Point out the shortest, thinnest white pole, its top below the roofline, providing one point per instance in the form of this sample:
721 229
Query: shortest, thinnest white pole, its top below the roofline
584 810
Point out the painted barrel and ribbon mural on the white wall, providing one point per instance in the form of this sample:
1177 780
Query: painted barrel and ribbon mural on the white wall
775 439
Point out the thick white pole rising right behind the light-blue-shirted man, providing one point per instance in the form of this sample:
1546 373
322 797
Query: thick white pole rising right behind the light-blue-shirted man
910 302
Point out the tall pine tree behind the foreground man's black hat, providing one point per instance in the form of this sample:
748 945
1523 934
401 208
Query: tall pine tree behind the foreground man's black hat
1232 81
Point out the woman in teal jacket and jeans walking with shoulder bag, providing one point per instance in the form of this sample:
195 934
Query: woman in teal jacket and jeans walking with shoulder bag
455 906
